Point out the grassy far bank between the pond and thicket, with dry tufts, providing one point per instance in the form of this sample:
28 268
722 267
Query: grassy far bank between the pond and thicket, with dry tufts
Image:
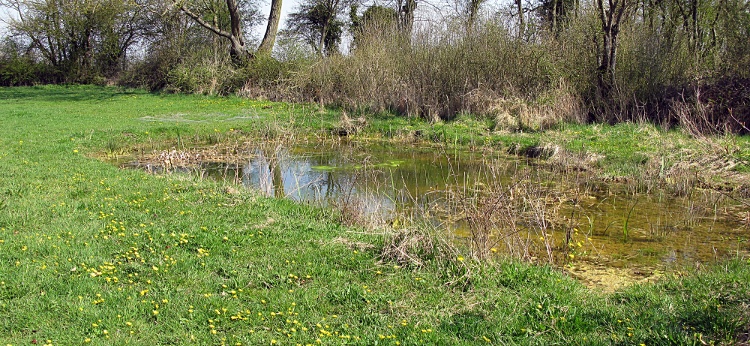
623 150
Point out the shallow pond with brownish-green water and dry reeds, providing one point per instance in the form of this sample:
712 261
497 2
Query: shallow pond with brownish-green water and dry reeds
593 227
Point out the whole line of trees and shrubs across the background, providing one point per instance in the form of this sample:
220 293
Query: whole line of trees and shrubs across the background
530 64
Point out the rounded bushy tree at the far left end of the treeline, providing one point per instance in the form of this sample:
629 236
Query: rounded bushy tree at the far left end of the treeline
80 40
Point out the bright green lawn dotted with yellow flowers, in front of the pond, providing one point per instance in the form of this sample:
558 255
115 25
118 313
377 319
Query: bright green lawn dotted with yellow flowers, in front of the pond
91 253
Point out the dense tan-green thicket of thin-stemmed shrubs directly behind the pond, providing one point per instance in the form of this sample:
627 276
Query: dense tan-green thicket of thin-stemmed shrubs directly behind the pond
440 74
